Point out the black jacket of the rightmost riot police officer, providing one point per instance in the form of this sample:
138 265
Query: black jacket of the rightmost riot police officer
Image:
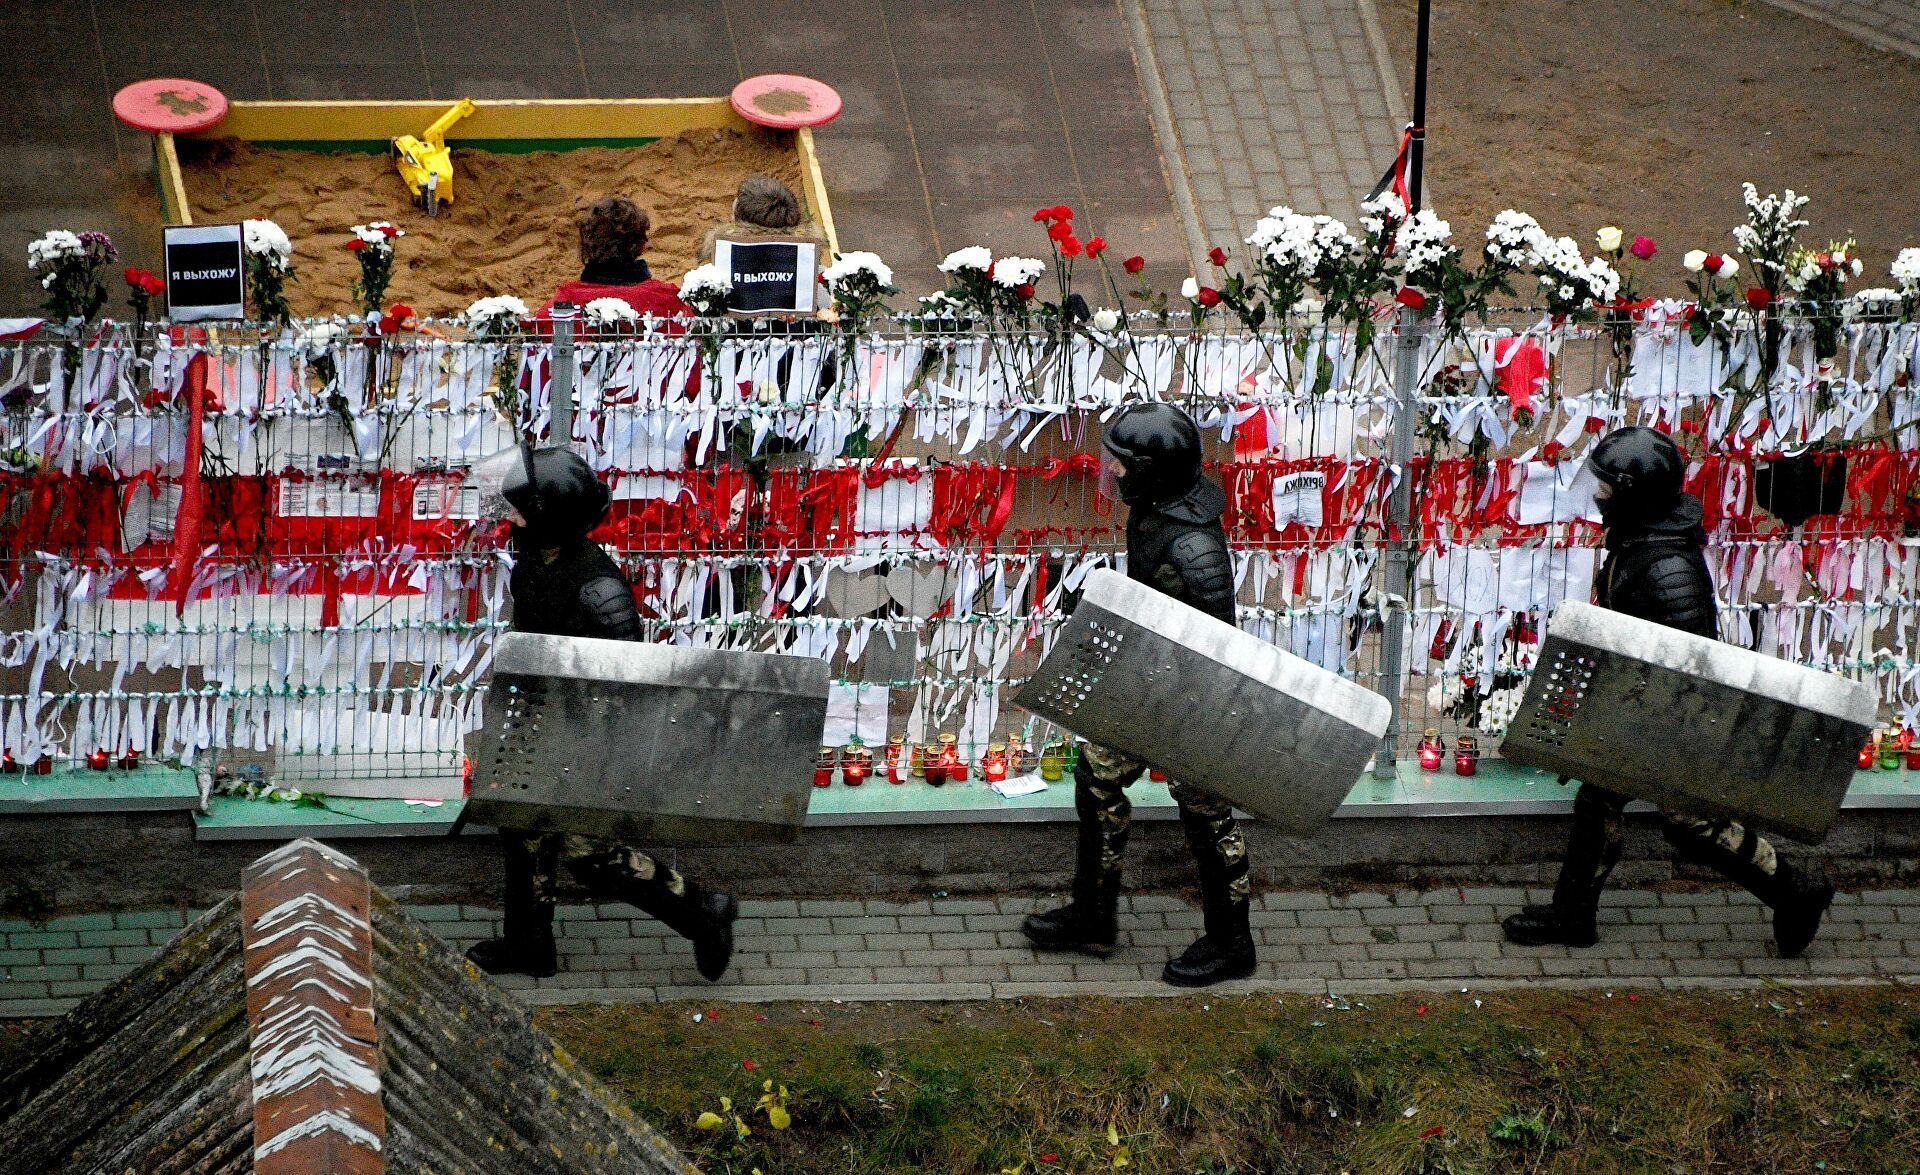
1656 571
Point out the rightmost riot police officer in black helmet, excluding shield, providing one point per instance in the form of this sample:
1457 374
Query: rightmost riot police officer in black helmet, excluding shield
1656 571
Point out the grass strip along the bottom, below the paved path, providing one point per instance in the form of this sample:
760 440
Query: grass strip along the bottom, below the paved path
1504 1082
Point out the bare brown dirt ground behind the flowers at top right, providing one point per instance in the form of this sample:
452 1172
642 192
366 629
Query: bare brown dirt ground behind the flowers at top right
1648 114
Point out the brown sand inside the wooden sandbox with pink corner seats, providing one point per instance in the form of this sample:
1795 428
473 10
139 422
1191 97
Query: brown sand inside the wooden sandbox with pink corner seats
512 228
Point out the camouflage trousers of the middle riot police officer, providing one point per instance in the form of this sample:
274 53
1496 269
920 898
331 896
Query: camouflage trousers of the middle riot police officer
1107 817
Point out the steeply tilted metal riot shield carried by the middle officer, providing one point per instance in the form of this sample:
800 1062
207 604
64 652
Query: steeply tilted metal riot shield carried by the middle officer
1207 704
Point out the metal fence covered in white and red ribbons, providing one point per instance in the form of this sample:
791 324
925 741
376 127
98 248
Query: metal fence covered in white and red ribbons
258 548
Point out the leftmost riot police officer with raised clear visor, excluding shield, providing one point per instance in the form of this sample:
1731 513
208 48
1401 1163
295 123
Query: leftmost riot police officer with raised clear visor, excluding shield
565 585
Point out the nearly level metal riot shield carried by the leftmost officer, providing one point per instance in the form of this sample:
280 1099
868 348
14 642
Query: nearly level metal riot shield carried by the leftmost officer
636 742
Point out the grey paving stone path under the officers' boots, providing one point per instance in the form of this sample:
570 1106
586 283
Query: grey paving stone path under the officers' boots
971 949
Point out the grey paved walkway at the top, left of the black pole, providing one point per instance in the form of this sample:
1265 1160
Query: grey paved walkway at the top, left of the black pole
1266 103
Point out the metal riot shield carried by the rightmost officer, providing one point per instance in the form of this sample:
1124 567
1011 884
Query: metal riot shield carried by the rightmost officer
1689 723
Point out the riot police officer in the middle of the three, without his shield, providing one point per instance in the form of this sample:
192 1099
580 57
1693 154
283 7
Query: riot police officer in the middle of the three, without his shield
1174 544
